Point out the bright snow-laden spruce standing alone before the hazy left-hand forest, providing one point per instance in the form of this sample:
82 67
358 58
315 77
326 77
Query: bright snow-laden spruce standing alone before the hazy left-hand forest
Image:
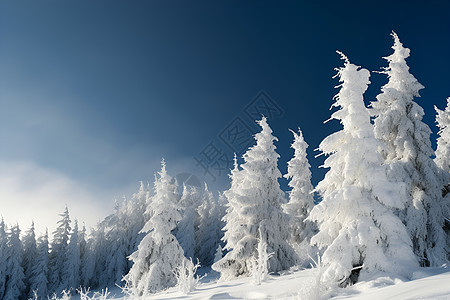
158 254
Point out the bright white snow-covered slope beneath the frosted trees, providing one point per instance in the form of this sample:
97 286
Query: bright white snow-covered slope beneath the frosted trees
427 283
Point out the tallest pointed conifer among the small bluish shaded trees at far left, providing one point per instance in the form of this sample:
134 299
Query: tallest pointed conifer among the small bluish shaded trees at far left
58 254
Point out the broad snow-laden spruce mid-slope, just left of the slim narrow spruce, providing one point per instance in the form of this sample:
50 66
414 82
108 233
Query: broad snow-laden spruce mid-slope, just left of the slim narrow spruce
254 212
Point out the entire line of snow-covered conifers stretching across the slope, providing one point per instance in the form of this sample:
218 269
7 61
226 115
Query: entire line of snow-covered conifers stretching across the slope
385 207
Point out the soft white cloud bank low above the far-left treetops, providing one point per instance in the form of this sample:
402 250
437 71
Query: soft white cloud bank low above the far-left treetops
30 192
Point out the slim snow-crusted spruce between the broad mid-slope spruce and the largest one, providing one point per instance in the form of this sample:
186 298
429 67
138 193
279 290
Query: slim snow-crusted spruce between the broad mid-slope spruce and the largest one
301 199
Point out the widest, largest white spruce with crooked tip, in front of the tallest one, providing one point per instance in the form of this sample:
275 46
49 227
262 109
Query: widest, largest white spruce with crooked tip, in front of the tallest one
357 229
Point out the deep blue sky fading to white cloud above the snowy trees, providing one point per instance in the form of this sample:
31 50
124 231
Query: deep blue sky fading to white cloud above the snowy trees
94 93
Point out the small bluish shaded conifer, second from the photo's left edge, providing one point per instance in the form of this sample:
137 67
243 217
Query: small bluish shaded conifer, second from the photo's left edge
15 277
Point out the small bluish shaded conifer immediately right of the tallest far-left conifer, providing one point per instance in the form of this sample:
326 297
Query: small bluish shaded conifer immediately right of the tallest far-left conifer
70 275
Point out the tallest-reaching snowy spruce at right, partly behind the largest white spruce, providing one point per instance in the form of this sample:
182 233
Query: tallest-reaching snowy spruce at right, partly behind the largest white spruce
408 152
